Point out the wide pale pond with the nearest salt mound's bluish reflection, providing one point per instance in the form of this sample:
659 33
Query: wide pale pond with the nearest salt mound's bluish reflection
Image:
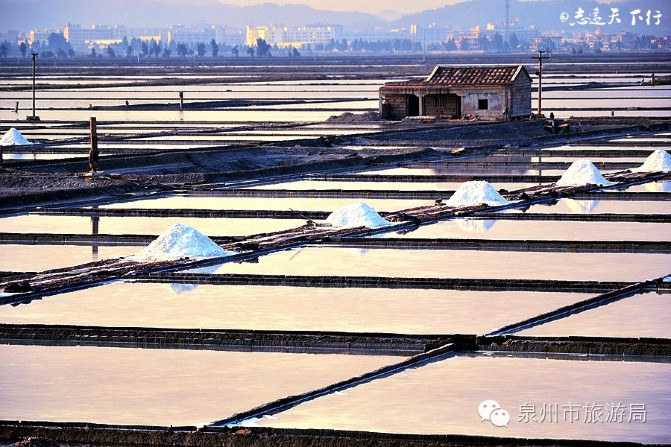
406 311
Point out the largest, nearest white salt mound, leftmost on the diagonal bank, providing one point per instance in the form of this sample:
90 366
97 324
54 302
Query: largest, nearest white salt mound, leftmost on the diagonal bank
181 241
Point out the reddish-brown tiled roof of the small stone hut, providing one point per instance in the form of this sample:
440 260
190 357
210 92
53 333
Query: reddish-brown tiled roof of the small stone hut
474 75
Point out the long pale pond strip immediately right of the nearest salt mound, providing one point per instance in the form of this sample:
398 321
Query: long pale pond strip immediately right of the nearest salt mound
457 264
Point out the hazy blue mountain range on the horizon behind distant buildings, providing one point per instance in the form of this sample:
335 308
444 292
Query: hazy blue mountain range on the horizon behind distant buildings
23 15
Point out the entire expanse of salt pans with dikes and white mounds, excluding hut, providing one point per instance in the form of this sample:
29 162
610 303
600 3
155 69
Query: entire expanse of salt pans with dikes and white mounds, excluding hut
296 272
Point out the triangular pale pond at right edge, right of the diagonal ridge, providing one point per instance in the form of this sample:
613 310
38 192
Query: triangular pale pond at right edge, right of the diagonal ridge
636 316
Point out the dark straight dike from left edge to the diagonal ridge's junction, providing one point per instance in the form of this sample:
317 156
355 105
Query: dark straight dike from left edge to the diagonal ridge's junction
353 343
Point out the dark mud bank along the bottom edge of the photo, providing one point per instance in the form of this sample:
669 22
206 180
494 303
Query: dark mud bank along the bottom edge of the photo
55 434
